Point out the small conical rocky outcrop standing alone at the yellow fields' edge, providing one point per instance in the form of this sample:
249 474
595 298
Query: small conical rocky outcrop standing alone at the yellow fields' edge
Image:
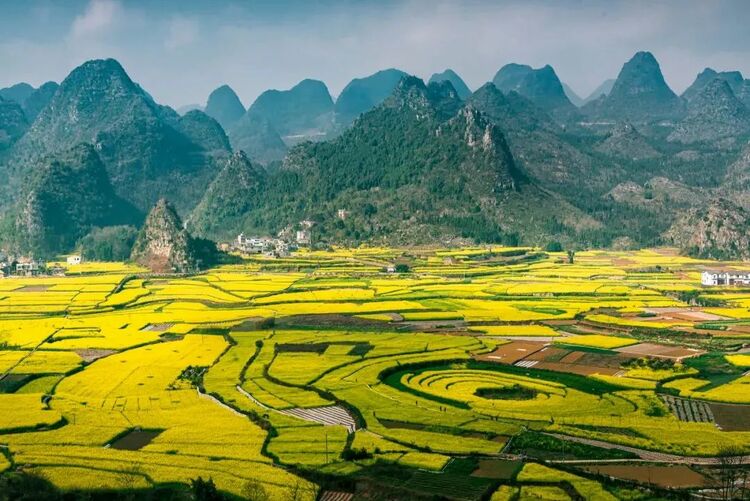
163 245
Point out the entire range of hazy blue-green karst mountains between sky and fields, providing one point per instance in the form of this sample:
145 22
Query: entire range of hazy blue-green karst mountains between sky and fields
522 159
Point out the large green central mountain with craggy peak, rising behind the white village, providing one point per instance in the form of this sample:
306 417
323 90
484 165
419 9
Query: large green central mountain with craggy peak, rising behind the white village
419 167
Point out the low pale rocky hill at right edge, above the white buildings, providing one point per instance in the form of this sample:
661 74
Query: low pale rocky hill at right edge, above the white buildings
720 230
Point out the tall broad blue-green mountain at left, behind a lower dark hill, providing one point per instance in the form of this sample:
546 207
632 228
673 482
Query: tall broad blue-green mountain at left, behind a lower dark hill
149 150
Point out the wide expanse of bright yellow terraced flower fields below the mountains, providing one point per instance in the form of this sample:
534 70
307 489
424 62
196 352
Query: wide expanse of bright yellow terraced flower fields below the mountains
287 375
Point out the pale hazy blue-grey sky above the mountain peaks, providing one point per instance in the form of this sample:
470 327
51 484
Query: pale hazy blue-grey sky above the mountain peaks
180 50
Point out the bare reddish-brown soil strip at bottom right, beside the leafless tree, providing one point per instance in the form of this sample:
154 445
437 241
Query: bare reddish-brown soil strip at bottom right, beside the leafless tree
677 476
